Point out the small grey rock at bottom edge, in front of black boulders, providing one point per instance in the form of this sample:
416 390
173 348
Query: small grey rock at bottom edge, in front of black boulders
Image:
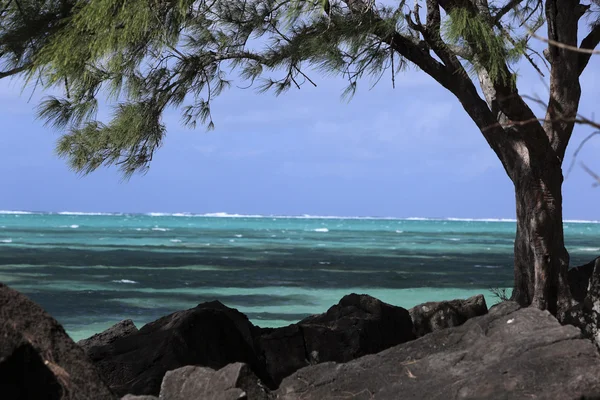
232 382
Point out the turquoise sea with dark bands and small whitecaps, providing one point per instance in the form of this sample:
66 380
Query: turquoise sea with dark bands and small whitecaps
90 271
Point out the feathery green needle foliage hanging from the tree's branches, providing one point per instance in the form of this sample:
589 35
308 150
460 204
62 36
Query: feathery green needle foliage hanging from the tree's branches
149 55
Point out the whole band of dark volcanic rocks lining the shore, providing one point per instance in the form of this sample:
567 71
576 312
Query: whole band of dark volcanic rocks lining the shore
361 348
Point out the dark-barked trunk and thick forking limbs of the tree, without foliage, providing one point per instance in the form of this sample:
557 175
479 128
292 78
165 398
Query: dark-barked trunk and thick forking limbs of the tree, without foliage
531 152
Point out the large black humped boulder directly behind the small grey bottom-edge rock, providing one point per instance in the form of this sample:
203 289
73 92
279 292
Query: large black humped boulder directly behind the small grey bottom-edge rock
210 335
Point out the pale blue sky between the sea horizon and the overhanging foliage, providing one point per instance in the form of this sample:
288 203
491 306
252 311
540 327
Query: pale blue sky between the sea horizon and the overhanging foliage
408 151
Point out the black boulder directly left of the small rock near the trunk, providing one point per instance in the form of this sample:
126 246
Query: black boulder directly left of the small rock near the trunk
357 325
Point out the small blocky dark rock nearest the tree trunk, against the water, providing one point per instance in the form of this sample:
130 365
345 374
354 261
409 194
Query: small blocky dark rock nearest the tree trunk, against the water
433 316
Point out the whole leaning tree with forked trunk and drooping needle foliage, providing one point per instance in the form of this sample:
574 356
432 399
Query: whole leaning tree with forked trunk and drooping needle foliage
149 55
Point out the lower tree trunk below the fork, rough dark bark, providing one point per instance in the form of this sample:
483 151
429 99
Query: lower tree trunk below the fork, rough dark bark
541 259
